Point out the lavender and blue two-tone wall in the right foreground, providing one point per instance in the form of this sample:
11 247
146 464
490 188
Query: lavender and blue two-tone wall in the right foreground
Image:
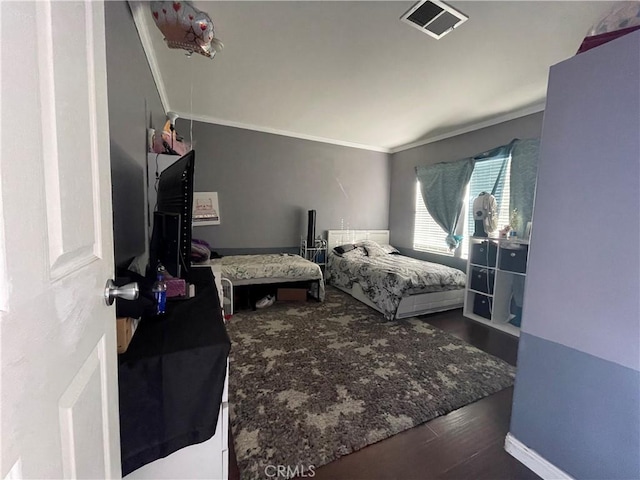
577 390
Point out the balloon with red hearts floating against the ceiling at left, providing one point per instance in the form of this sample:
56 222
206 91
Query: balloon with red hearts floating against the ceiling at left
186 27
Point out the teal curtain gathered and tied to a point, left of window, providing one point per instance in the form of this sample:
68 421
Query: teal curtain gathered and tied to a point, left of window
443 186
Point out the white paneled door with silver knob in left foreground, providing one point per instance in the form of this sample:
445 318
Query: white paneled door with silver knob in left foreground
59 373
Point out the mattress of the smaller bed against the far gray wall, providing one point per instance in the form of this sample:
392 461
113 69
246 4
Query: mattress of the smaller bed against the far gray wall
270 268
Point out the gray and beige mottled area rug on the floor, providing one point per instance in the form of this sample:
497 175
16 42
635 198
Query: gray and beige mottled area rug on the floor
311 382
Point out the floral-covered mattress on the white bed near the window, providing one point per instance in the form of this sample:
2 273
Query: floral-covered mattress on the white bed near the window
386 279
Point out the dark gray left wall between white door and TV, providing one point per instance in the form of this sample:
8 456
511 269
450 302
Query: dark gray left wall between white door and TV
134 104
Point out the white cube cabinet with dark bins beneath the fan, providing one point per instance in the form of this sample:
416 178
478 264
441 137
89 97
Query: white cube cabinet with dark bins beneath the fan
496 273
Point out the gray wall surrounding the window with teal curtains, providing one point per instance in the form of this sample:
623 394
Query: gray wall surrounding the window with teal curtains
403 176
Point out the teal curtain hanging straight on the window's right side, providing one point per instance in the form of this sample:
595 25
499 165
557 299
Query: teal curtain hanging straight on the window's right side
524 173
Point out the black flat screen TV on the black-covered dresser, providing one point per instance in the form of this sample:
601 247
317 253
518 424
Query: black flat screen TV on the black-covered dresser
171 237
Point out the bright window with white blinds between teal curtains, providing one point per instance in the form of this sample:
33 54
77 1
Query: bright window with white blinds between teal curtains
429 237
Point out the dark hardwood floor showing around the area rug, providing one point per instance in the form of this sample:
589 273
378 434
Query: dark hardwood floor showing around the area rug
464 444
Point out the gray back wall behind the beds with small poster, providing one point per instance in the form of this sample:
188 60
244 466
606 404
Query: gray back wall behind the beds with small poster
266 184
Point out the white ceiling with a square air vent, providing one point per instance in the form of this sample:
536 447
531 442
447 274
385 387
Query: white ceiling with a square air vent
352 73
